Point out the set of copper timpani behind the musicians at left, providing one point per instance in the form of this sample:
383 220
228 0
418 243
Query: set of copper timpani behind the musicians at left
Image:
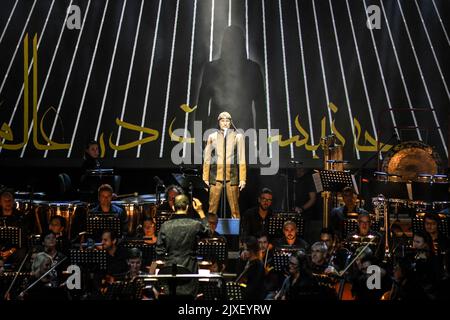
137 207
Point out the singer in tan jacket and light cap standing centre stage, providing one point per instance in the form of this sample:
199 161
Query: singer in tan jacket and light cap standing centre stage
216 170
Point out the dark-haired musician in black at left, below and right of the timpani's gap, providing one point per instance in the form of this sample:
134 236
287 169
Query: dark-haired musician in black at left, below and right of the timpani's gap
116 257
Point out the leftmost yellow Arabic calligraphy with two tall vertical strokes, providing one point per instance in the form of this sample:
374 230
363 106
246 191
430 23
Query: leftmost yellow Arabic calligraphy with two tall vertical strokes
6 131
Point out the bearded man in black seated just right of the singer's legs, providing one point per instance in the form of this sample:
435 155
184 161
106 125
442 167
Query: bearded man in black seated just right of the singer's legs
256 220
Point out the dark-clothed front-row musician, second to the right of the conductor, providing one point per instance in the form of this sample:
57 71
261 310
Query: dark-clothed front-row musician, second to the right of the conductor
300 283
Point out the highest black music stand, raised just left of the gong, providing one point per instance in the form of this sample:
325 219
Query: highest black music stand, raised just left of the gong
334 181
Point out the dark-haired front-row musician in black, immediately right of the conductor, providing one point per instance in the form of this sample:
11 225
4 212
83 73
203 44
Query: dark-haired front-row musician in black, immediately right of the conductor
253 273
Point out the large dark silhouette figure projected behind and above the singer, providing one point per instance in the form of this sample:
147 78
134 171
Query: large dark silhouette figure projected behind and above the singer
232 83
